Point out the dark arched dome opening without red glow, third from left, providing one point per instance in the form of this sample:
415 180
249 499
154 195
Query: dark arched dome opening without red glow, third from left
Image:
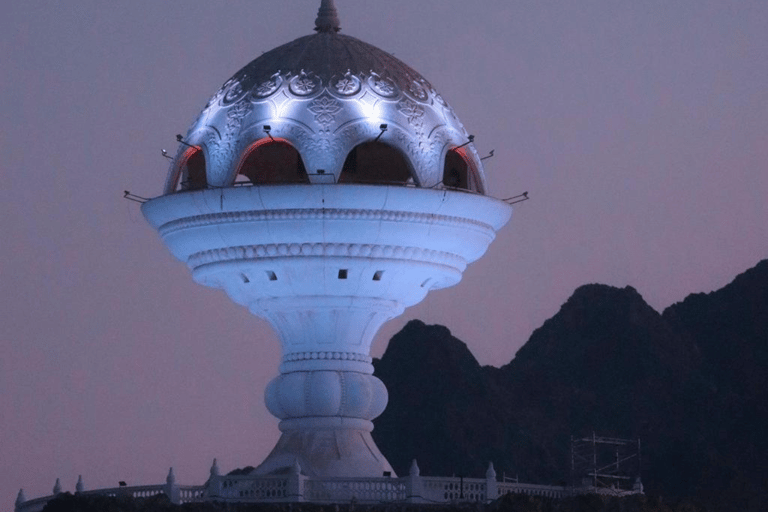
375 162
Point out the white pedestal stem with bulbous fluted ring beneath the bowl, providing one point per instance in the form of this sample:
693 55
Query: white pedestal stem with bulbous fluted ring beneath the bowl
326 394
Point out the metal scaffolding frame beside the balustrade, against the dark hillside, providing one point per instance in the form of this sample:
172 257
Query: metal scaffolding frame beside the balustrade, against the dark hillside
605 462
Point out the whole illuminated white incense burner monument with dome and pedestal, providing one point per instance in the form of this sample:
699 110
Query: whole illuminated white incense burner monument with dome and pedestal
326 186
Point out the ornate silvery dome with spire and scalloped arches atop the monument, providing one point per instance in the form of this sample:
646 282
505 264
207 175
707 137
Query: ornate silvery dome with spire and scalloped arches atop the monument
325 94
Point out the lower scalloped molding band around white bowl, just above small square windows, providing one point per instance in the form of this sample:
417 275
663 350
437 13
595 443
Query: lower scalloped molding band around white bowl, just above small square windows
250 252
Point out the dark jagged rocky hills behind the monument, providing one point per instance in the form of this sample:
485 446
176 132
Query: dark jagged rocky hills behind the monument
691 383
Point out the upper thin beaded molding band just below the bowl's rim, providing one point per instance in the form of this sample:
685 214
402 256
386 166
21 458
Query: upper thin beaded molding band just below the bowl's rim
317 214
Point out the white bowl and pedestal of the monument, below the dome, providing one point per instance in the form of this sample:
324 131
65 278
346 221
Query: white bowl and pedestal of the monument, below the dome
327 265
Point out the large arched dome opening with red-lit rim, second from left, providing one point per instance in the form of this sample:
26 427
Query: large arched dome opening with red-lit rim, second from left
271 161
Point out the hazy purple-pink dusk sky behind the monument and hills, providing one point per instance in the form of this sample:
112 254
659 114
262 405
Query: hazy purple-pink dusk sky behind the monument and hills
639 129
